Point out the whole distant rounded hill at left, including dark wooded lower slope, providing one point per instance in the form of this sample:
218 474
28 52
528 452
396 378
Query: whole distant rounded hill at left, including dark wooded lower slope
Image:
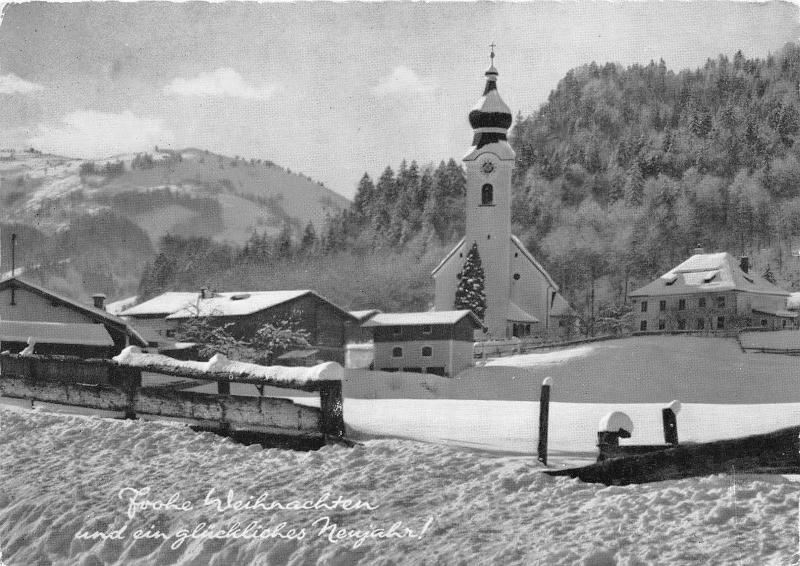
91 226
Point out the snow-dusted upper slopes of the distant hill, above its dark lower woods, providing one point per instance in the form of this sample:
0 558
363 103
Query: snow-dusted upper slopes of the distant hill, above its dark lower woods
239 195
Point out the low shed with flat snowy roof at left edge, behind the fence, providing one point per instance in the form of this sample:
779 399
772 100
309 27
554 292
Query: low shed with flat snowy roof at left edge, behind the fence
57 338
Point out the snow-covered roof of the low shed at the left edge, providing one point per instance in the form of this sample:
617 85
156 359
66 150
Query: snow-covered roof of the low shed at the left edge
81 334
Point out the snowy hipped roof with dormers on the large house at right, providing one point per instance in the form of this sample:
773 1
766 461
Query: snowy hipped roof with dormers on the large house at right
708 273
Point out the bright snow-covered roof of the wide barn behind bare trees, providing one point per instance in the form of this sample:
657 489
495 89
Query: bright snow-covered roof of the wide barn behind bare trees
178 305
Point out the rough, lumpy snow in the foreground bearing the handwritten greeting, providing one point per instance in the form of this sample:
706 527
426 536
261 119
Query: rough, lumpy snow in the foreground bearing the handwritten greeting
64 477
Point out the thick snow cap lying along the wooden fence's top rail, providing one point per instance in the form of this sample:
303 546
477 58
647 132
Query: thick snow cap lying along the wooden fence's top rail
133 356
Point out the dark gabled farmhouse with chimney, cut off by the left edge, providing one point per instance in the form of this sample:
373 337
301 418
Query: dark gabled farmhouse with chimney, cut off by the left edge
21 301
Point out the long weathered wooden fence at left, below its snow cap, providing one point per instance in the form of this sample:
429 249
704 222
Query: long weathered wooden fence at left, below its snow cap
109 386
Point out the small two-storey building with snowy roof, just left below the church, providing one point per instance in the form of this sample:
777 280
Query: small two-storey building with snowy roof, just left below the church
438 342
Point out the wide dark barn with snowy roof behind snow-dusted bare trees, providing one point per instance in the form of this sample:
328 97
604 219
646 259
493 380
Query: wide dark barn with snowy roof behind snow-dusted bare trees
327 324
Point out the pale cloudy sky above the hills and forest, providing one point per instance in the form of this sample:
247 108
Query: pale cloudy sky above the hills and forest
332 90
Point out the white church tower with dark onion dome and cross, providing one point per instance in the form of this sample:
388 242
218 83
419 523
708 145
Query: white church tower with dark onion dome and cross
489 164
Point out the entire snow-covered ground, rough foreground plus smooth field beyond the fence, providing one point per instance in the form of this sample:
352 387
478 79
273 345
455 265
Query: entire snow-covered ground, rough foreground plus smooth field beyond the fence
451 460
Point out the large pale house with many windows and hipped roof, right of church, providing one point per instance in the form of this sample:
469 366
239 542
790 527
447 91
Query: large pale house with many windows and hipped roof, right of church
711 292
